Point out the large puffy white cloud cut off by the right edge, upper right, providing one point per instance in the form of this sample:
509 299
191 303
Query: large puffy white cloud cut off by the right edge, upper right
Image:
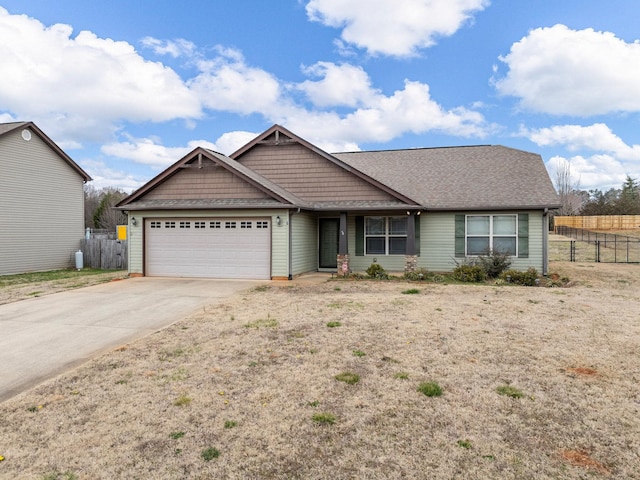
567 72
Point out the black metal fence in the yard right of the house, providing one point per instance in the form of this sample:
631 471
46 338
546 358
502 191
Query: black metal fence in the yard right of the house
587 246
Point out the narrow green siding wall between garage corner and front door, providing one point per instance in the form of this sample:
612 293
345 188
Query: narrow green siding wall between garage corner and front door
304 250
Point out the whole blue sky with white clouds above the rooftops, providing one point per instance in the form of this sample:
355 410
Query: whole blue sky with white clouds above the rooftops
128 88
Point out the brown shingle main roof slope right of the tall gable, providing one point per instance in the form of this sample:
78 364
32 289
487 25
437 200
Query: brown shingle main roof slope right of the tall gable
456 178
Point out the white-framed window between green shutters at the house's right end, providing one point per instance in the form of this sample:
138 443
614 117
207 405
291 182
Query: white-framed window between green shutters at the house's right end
491 233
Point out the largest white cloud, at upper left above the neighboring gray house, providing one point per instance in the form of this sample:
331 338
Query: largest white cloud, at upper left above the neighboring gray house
84 80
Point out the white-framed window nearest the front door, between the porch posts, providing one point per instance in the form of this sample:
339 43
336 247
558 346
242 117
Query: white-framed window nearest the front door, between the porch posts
385 235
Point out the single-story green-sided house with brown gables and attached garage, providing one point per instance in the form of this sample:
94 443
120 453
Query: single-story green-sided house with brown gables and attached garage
280 206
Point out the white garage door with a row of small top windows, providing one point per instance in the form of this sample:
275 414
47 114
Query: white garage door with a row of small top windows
210 248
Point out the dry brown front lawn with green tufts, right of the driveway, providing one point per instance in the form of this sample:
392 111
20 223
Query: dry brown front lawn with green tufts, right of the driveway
247 377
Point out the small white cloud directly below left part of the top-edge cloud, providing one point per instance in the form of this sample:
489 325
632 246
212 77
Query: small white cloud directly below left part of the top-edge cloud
341 85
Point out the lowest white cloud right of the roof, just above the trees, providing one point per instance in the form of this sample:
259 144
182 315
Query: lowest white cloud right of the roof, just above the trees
597 171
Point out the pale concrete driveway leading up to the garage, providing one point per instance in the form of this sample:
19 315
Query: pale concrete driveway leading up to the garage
42 337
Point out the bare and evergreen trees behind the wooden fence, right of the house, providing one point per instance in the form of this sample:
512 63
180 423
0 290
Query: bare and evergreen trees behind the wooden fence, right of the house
615 201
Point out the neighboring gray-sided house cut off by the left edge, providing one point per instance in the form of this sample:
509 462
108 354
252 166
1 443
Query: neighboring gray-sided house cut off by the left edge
41 201
